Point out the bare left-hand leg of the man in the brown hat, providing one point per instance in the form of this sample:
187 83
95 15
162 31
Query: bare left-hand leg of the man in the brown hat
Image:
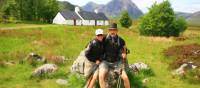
103 70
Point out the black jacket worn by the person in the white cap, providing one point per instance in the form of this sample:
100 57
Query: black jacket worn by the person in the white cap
94 50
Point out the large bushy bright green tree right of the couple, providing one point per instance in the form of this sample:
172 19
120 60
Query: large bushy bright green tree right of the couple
161 21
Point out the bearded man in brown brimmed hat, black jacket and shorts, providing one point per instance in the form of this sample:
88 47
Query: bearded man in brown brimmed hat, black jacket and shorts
114 56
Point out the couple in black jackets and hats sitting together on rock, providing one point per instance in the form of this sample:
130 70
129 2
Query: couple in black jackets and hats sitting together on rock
107 52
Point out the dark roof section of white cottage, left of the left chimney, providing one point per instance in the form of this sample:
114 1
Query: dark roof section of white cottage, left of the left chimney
69 15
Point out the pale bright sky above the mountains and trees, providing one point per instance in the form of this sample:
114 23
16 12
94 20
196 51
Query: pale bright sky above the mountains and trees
189 6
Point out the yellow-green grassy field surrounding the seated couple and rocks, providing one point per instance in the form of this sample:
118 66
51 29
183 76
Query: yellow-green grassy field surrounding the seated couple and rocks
68 41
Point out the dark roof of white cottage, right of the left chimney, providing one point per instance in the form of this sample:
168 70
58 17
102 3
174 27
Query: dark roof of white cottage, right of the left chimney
92 16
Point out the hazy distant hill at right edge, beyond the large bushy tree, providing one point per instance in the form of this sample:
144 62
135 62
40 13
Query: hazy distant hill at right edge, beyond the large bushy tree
194 19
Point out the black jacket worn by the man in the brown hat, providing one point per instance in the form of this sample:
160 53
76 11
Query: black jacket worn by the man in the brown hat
113 48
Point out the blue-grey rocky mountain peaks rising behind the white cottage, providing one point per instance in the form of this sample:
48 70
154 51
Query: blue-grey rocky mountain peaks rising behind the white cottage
115 7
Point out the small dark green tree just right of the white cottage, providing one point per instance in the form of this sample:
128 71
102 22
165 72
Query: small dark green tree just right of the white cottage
125 20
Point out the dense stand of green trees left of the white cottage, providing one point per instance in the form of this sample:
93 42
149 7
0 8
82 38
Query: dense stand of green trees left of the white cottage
29 10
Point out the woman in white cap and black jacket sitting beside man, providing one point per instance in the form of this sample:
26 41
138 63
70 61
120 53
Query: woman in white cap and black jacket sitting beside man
94 53
